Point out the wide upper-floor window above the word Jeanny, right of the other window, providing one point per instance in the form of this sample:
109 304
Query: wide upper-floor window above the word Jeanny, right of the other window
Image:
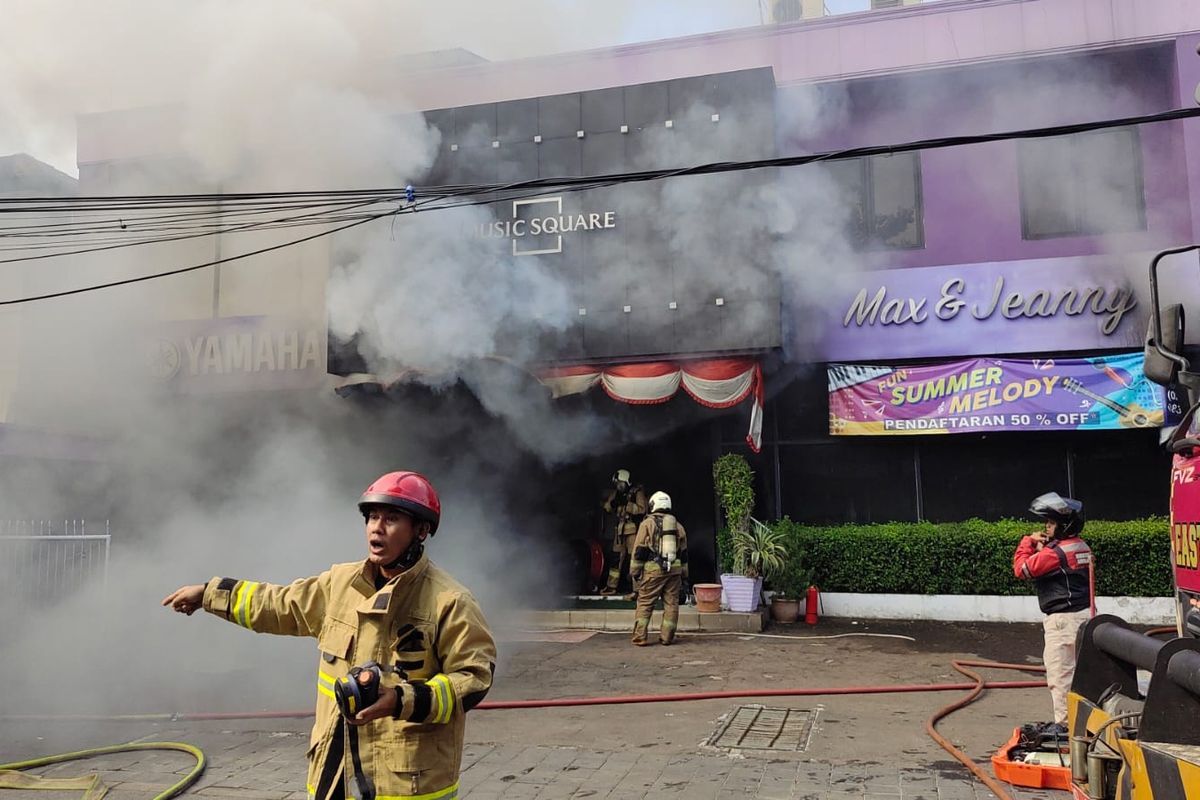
1082 184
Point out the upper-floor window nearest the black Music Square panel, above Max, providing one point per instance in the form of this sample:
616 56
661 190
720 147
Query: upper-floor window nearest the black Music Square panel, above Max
883 197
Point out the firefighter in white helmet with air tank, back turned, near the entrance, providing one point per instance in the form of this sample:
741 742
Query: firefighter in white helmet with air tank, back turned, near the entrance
661 569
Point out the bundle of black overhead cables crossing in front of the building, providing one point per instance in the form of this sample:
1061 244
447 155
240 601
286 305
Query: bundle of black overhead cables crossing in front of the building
448 197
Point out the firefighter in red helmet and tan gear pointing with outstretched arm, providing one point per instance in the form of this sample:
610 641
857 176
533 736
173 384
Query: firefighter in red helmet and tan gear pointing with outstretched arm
394 619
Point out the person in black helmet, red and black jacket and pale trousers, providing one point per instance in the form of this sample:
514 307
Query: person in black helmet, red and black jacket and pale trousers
1059 563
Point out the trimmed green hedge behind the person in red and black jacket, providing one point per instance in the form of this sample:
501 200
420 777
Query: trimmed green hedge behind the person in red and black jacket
973 557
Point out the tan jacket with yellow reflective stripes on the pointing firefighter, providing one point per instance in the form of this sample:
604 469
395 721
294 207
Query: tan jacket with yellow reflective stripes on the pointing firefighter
423 624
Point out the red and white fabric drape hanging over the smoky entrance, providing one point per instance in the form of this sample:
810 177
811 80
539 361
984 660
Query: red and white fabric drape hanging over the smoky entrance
716 383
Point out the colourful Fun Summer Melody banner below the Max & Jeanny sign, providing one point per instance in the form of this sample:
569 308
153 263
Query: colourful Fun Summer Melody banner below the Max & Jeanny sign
981 395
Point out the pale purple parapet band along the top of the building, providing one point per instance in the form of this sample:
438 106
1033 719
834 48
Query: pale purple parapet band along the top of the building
871 44
